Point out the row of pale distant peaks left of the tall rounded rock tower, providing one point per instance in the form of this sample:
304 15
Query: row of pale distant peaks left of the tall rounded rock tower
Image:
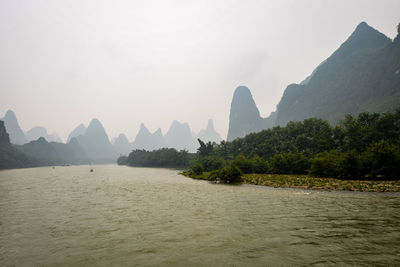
93 144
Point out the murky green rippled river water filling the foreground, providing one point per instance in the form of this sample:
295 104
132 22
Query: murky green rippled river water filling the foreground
123 216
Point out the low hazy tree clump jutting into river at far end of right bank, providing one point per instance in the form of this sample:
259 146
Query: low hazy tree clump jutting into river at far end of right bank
165 157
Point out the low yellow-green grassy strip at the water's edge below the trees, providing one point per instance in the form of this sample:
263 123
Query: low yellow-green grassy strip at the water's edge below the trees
316 183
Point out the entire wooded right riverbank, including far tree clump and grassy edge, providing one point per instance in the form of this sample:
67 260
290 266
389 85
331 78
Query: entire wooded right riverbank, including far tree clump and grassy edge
307 154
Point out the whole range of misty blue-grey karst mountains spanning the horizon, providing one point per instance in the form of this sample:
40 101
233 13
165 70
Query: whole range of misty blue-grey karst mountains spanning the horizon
363 74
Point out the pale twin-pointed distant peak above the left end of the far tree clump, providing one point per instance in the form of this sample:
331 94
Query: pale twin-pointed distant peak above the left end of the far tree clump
148 141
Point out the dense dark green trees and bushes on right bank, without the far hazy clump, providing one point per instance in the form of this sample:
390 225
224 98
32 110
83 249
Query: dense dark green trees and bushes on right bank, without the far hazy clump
366 147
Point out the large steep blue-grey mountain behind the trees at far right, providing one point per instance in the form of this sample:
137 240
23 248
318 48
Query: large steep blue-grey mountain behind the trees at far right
363 74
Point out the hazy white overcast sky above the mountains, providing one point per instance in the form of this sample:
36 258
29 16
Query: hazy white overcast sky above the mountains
63 63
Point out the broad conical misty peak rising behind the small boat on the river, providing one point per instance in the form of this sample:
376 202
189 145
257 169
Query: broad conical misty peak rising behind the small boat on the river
96 143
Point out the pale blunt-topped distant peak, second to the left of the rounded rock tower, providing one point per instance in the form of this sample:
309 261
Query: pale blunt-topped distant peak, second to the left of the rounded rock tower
180 137
